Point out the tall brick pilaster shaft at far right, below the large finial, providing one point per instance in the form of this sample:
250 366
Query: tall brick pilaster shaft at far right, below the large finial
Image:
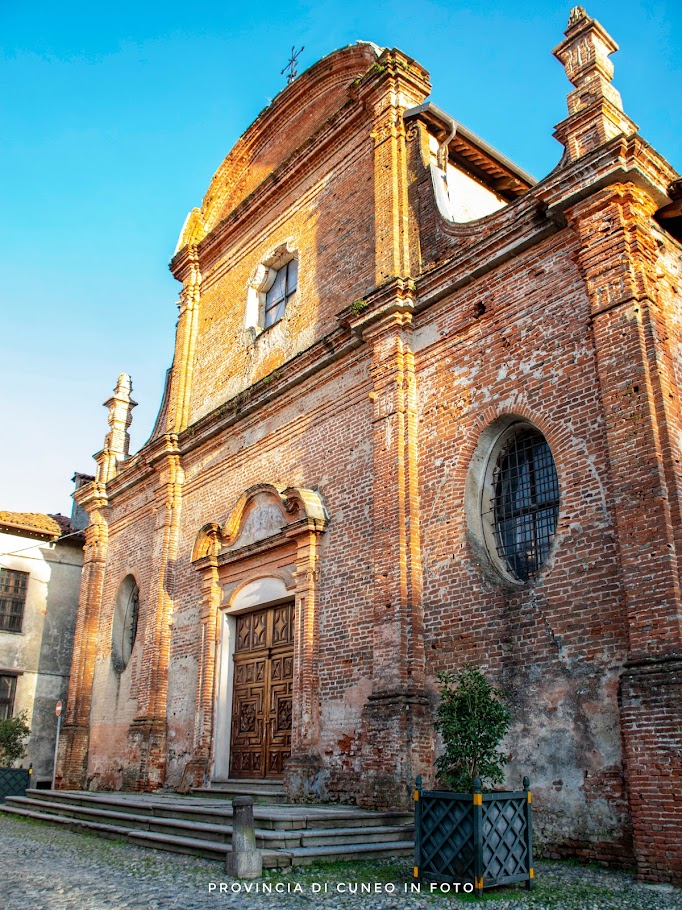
617 257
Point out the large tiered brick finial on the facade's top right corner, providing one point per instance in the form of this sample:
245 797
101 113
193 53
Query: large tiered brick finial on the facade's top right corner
595 109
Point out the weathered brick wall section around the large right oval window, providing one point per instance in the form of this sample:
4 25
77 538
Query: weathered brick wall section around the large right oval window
556 645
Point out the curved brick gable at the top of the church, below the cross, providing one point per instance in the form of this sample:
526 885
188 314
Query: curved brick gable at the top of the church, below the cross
295 115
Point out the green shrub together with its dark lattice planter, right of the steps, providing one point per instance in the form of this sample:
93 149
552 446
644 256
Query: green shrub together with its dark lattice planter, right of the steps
464 834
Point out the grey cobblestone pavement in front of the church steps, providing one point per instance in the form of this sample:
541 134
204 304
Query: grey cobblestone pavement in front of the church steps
49 868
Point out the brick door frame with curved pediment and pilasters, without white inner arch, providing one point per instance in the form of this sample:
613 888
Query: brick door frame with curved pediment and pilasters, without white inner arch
226 556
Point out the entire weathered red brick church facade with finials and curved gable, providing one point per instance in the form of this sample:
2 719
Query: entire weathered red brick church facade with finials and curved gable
423 410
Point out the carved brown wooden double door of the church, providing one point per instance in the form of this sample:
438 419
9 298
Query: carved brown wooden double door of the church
260 739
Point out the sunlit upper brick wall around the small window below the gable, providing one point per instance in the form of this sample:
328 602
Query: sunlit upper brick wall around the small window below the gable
330 223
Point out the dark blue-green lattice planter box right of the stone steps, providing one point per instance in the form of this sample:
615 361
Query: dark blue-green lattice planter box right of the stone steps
484 839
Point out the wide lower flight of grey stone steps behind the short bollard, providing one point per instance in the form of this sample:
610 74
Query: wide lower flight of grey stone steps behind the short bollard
287 835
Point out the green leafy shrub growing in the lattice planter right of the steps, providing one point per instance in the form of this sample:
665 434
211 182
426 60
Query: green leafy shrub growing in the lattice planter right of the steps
472 721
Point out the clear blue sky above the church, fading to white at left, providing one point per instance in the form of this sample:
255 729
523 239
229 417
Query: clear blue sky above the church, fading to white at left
115 117
